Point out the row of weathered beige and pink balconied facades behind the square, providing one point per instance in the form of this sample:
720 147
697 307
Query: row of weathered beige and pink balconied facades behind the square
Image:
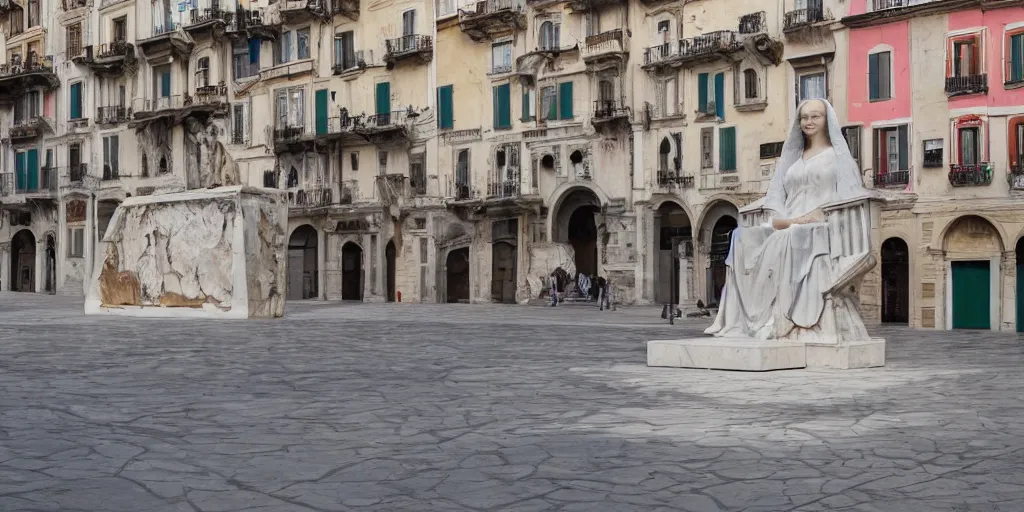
462 151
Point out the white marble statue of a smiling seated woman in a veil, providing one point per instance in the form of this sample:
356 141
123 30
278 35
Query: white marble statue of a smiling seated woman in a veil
778 274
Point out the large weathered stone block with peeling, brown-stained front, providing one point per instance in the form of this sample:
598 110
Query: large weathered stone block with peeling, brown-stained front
215 253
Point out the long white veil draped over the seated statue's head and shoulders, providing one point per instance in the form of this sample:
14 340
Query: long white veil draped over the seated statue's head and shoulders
848 183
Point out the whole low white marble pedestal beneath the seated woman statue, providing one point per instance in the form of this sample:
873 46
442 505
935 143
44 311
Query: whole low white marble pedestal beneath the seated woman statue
752 356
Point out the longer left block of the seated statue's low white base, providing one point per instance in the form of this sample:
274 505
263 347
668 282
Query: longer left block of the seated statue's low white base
727 354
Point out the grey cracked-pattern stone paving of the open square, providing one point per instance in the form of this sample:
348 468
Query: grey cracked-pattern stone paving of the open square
437 408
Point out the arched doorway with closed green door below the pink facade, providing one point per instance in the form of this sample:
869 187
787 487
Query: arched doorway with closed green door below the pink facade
973 248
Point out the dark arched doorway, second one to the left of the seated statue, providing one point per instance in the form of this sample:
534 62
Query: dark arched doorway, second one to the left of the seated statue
674 234
